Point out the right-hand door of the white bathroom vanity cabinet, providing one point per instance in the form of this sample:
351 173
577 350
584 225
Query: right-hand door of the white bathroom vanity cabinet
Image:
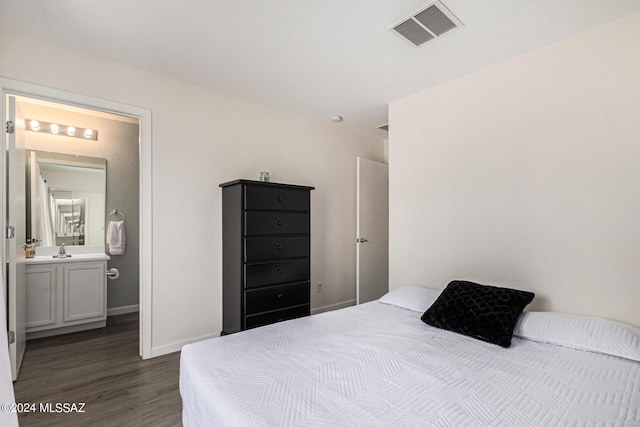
84 294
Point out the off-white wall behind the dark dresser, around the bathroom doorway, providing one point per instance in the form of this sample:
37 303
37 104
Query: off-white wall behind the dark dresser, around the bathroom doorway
201 139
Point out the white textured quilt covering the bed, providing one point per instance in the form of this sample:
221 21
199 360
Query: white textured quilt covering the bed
378 364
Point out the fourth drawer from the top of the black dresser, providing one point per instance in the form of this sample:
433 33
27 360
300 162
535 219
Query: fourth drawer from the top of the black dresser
276 272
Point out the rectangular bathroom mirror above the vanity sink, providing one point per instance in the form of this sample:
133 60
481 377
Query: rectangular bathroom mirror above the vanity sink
65 199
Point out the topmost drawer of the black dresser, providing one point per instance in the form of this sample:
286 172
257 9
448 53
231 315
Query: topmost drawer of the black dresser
276 199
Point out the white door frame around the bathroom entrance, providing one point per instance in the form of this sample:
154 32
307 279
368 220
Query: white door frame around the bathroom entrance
41 98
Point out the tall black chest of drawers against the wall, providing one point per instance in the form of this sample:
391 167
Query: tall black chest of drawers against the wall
266 233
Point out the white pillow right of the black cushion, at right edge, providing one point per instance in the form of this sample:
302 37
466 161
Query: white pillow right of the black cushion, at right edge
580 332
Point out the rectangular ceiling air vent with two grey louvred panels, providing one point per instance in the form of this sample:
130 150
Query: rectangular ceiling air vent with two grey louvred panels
429 23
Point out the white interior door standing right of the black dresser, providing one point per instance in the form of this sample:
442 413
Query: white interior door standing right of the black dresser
372 243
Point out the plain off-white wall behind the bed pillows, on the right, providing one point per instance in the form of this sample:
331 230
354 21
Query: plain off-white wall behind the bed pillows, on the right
527 175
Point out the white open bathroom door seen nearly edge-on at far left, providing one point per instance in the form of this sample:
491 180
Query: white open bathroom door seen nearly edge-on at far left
15 254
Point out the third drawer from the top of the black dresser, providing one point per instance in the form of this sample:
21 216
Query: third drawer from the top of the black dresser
266 248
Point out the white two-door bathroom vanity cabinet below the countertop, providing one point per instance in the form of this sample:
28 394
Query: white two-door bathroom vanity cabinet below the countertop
65 296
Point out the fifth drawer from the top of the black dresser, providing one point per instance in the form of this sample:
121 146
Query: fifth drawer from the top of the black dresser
276 297
